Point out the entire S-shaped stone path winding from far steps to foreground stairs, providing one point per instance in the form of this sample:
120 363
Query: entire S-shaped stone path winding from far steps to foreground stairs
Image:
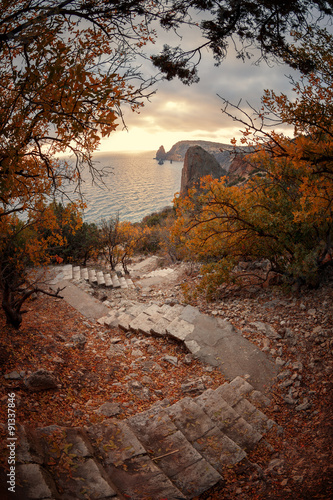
168 452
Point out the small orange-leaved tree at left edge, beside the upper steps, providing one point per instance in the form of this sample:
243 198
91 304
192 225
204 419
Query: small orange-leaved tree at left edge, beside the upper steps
24 245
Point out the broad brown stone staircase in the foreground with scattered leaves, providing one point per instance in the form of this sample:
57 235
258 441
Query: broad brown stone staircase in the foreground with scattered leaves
167 452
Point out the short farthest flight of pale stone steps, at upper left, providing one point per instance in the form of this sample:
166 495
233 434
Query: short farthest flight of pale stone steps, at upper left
98 278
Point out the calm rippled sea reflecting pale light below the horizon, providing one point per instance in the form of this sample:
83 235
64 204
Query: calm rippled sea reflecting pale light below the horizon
135 186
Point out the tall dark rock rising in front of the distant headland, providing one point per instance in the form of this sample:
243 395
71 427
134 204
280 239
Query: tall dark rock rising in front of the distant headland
197 164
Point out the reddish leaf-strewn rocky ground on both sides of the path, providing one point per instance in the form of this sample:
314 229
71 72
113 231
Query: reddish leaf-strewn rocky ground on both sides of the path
89 375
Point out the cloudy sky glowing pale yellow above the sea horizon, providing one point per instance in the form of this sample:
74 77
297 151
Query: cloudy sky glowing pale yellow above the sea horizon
180 112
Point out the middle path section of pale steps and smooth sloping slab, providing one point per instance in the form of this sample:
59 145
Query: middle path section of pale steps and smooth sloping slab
212 340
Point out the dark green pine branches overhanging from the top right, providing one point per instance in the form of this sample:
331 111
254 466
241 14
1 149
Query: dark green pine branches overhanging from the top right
247 26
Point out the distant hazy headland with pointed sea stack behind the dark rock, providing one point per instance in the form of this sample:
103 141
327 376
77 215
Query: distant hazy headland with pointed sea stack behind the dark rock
223 153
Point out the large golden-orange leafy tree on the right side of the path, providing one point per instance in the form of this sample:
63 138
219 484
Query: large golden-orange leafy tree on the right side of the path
284 211
